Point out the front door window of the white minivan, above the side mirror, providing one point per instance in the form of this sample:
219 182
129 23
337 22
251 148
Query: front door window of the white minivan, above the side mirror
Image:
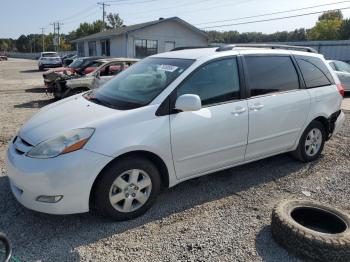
214 83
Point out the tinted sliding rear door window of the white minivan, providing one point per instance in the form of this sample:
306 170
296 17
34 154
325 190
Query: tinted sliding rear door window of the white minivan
269 74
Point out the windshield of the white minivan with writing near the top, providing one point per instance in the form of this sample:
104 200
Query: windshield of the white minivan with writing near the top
141 83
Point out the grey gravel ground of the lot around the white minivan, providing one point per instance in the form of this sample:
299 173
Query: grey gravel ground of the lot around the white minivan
220 217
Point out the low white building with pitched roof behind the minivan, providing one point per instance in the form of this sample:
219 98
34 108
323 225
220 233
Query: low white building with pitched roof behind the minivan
141 40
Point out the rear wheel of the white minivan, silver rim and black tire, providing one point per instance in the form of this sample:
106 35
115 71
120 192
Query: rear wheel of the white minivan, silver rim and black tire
311 142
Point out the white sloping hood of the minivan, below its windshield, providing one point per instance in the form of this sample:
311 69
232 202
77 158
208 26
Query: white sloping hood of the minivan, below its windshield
57 118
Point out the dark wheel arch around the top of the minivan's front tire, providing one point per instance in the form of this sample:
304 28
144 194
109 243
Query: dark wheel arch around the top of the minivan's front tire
154 158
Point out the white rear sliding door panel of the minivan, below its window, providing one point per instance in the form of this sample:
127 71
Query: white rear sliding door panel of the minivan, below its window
275 122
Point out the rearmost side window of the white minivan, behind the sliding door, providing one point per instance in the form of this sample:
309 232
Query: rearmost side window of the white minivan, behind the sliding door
314 71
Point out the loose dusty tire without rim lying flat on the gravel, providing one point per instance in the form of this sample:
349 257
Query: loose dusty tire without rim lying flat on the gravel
311 230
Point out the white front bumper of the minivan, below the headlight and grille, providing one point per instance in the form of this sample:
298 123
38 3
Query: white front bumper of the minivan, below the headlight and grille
70 175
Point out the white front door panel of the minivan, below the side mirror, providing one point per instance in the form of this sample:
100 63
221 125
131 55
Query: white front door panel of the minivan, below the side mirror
210 138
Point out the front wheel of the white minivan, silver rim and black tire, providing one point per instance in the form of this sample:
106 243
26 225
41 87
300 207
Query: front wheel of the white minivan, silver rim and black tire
114 174
